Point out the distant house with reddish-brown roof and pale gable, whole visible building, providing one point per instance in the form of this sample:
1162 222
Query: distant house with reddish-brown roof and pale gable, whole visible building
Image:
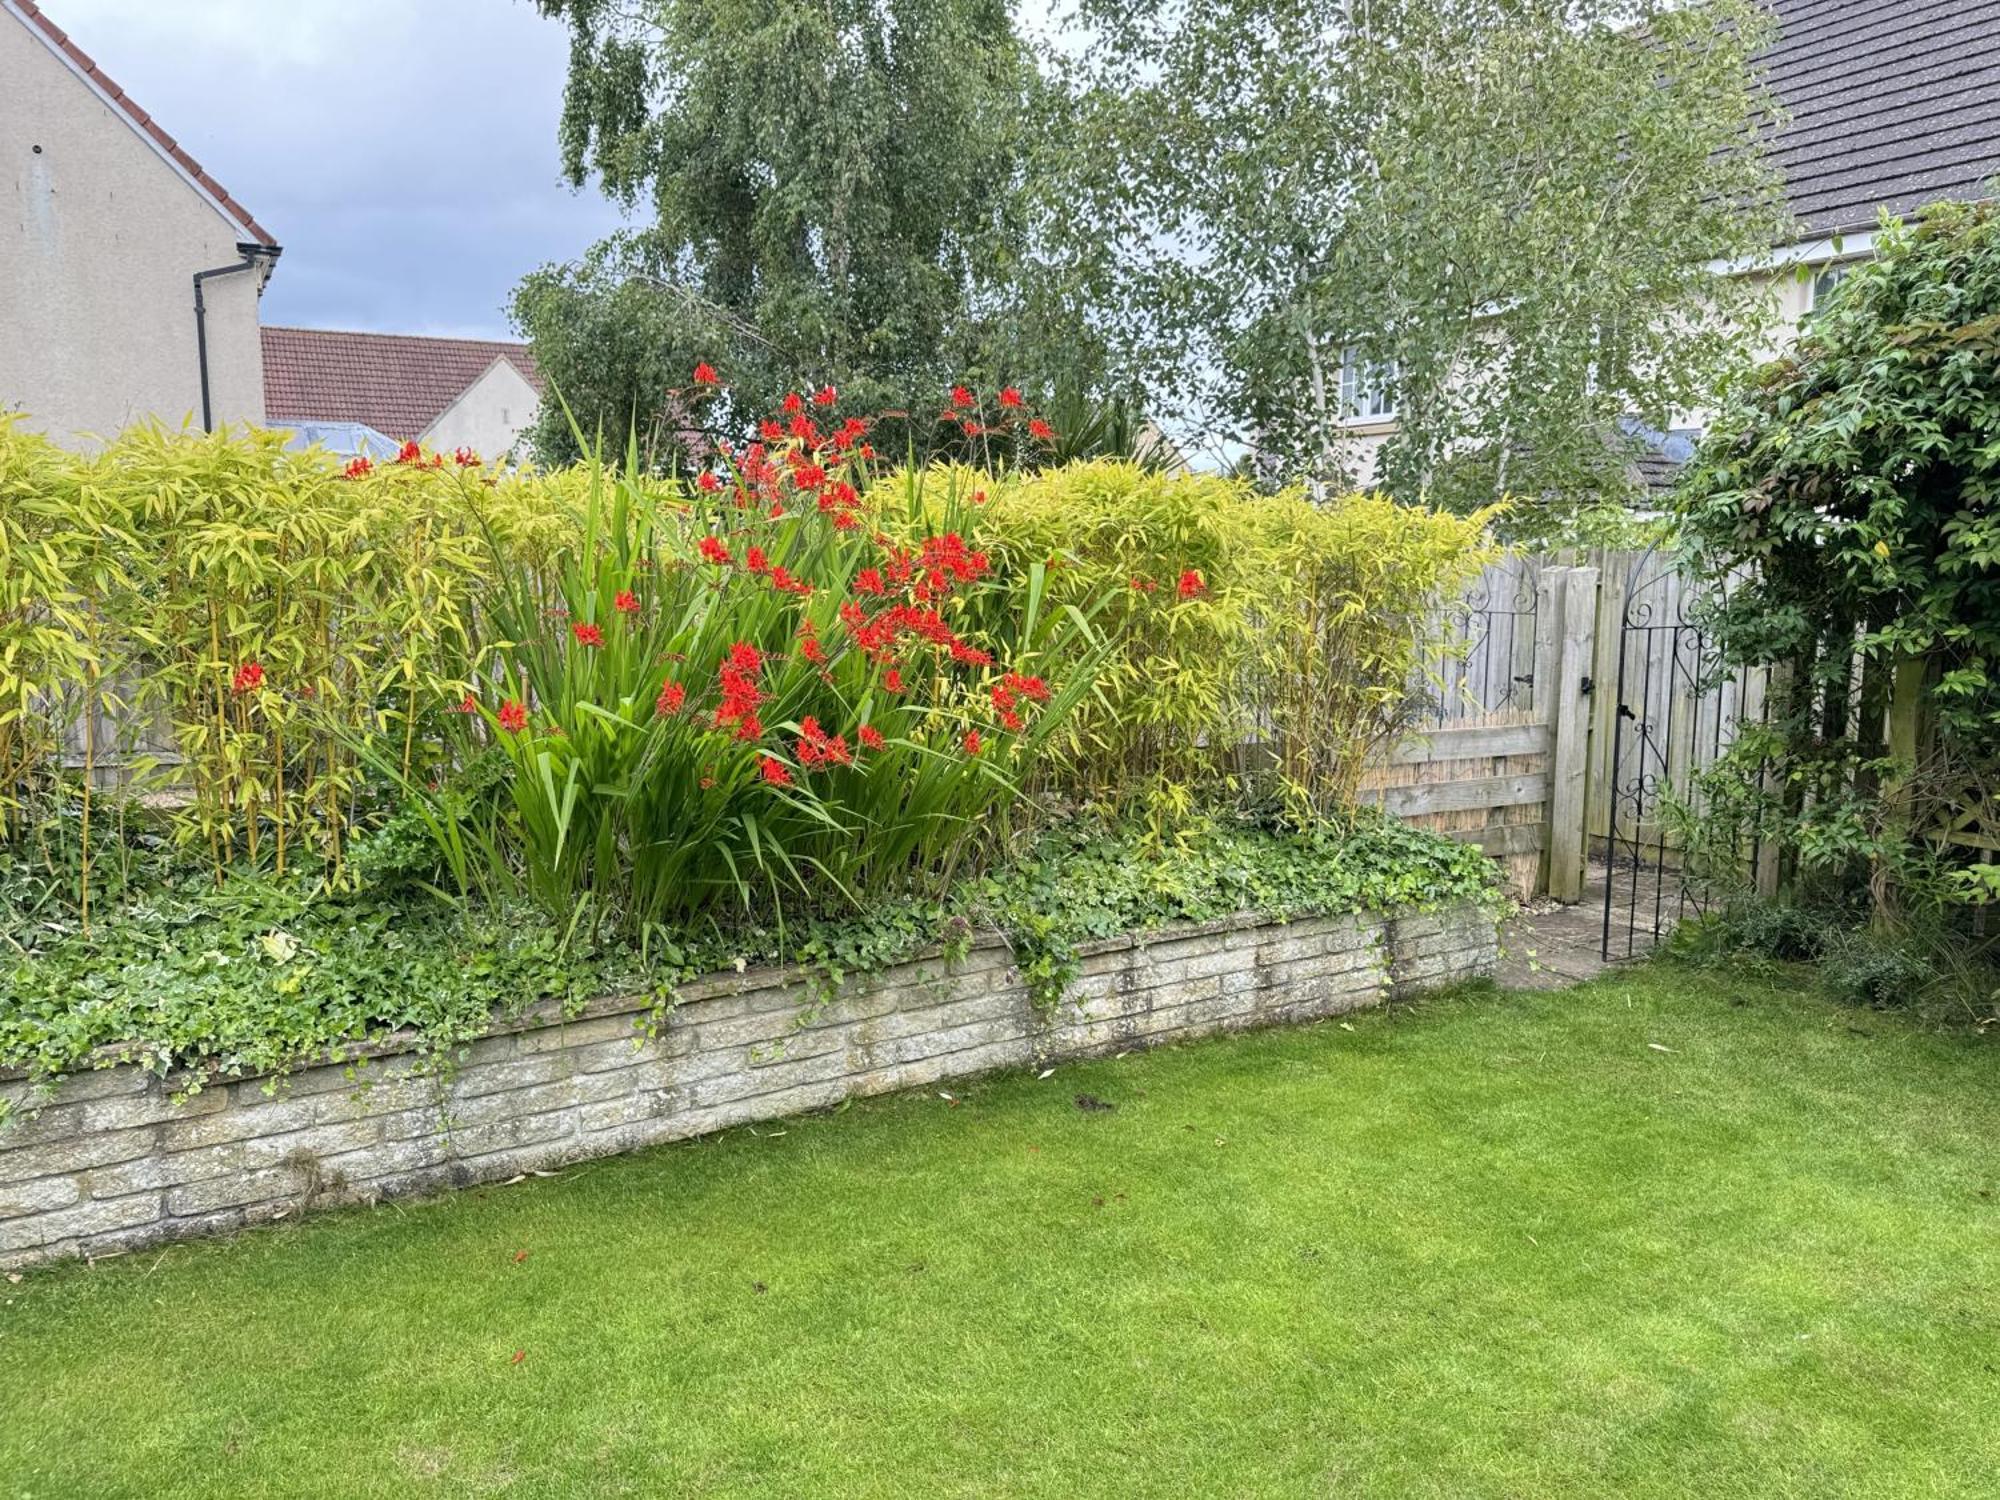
371 393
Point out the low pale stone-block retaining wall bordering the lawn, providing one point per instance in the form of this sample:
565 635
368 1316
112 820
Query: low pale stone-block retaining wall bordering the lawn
113 1163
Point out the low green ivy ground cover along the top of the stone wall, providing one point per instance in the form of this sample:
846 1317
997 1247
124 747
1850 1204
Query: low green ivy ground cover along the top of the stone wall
265 973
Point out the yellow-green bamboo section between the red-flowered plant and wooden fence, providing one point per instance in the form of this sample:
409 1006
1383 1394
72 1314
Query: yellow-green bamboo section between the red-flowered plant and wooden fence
1237 617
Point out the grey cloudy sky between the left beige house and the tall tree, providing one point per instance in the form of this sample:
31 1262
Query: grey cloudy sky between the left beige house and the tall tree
401 151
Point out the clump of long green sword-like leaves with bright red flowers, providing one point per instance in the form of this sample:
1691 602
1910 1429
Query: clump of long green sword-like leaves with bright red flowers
751 695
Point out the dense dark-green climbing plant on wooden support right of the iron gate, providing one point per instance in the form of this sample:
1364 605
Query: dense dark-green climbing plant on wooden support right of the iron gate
1857 489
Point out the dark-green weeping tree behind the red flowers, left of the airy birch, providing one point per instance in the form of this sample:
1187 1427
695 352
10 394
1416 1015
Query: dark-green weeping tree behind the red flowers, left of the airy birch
835 195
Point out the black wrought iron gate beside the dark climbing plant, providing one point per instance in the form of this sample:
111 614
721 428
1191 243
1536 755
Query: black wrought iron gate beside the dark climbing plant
1677 711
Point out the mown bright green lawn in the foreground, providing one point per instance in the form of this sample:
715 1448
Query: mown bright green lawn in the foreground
1665 1235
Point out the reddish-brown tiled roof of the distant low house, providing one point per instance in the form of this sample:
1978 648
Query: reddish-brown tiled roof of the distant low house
395 383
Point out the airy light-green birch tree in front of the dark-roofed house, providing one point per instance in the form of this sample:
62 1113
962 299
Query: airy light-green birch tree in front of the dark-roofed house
1507 209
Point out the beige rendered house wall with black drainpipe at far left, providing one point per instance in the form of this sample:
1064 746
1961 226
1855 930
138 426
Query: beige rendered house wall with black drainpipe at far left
129 277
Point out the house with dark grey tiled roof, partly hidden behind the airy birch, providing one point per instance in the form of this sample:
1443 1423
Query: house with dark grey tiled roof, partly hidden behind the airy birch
1889 107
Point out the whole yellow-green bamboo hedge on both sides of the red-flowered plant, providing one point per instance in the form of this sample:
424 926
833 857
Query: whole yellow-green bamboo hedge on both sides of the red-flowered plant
149 575
